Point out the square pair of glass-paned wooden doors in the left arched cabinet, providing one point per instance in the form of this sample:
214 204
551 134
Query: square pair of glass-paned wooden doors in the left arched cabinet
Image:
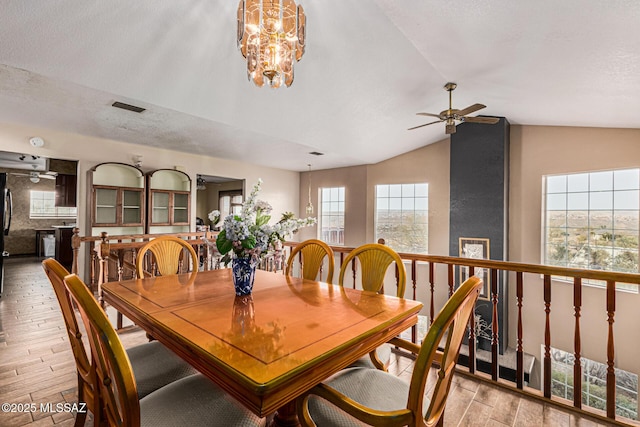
117 206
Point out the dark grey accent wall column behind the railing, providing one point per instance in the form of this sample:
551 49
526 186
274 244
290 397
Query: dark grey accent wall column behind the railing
479 191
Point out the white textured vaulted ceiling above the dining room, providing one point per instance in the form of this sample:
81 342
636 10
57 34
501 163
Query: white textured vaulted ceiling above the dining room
369 67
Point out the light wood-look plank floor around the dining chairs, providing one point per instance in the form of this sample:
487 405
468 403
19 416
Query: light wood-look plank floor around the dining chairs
37 366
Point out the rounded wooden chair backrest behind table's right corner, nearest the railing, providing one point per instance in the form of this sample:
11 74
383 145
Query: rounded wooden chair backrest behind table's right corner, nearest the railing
374 260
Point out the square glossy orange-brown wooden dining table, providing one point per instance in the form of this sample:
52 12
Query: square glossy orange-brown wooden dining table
267 348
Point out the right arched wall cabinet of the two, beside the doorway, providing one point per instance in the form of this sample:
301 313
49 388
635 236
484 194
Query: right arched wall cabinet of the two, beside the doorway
169 201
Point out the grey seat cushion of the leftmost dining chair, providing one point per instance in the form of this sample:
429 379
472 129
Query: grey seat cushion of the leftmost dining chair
155 366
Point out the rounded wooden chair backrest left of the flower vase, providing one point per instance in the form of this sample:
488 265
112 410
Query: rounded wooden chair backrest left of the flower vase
167 251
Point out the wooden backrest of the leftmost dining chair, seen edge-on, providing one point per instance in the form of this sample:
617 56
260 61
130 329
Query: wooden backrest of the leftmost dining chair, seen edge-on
86 379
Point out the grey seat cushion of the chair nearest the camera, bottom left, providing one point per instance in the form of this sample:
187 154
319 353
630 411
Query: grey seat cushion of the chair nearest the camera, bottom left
194 401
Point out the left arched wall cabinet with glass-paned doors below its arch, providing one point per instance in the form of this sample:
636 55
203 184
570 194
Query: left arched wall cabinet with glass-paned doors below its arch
118 196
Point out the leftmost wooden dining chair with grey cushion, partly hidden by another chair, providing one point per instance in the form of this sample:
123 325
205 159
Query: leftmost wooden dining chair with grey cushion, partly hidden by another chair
153 364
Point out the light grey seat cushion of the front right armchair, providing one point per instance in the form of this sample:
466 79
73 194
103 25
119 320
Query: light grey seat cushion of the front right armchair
370 387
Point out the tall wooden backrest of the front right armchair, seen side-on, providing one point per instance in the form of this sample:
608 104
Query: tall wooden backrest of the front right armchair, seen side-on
452 321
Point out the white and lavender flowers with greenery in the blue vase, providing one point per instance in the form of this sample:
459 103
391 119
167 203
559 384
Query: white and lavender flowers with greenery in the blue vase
249 235
